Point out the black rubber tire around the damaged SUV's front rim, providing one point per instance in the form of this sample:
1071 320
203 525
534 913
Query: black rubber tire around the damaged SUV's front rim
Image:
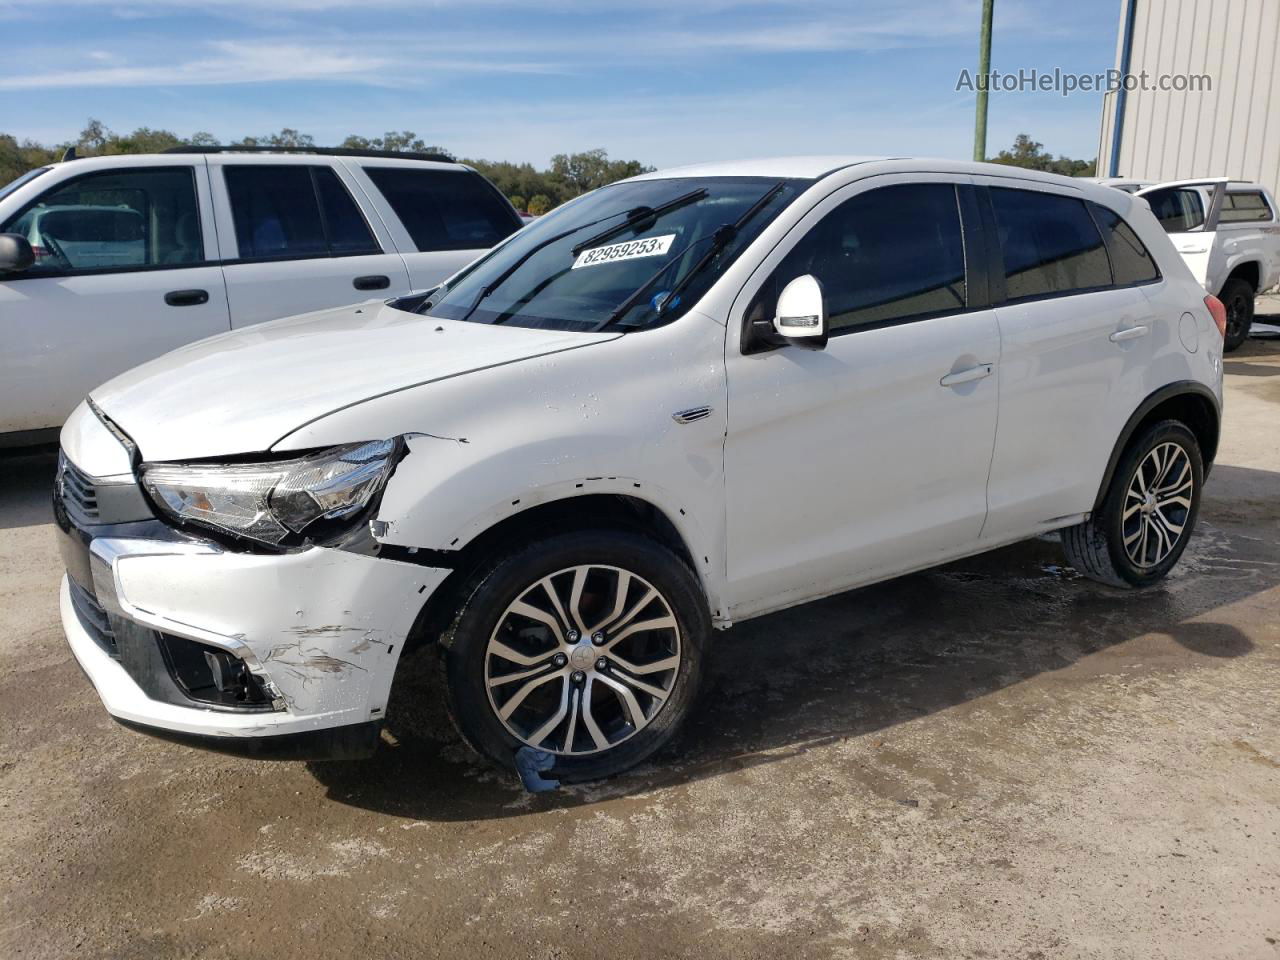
486 604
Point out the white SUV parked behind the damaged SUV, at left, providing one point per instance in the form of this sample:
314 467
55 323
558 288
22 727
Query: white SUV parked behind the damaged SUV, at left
116 260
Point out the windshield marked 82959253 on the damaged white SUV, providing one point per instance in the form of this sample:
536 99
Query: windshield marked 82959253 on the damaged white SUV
630 257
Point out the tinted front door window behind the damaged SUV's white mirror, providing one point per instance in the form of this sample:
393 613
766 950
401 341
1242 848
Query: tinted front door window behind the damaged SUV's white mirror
886 255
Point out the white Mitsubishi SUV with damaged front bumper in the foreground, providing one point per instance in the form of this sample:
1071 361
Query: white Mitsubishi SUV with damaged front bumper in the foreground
678 403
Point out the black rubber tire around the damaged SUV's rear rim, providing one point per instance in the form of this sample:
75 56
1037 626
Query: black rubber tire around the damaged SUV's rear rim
1098 550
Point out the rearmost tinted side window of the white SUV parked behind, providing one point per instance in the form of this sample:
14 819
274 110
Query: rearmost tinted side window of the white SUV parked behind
446 209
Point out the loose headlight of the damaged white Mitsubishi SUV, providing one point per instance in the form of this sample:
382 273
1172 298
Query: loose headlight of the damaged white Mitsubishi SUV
272 502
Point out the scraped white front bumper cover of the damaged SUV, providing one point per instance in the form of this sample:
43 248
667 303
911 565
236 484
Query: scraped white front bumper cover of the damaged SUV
284 656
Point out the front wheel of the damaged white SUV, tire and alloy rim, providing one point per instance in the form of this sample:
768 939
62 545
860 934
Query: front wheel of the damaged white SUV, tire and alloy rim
587 647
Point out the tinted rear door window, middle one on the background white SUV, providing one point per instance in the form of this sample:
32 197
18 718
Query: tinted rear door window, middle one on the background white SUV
295 212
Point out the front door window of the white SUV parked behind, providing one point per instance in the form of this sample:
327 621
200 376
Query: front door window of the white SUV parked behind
115 221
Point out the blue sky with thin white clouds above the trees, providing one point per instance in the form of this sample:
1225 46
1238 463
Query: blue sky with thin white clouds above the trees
662 81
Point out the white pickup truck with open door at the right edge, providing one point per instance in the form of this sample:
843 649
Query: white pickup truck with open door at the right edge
1229 235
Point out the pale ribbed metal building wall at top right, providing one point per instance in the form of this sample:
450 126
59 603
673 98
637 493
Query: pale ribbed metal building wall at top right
1235 129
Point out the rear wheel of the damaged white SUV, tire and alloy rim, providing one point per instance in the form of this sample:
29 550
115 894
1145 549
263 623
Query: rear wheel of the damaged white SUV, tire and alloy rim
1149 514
